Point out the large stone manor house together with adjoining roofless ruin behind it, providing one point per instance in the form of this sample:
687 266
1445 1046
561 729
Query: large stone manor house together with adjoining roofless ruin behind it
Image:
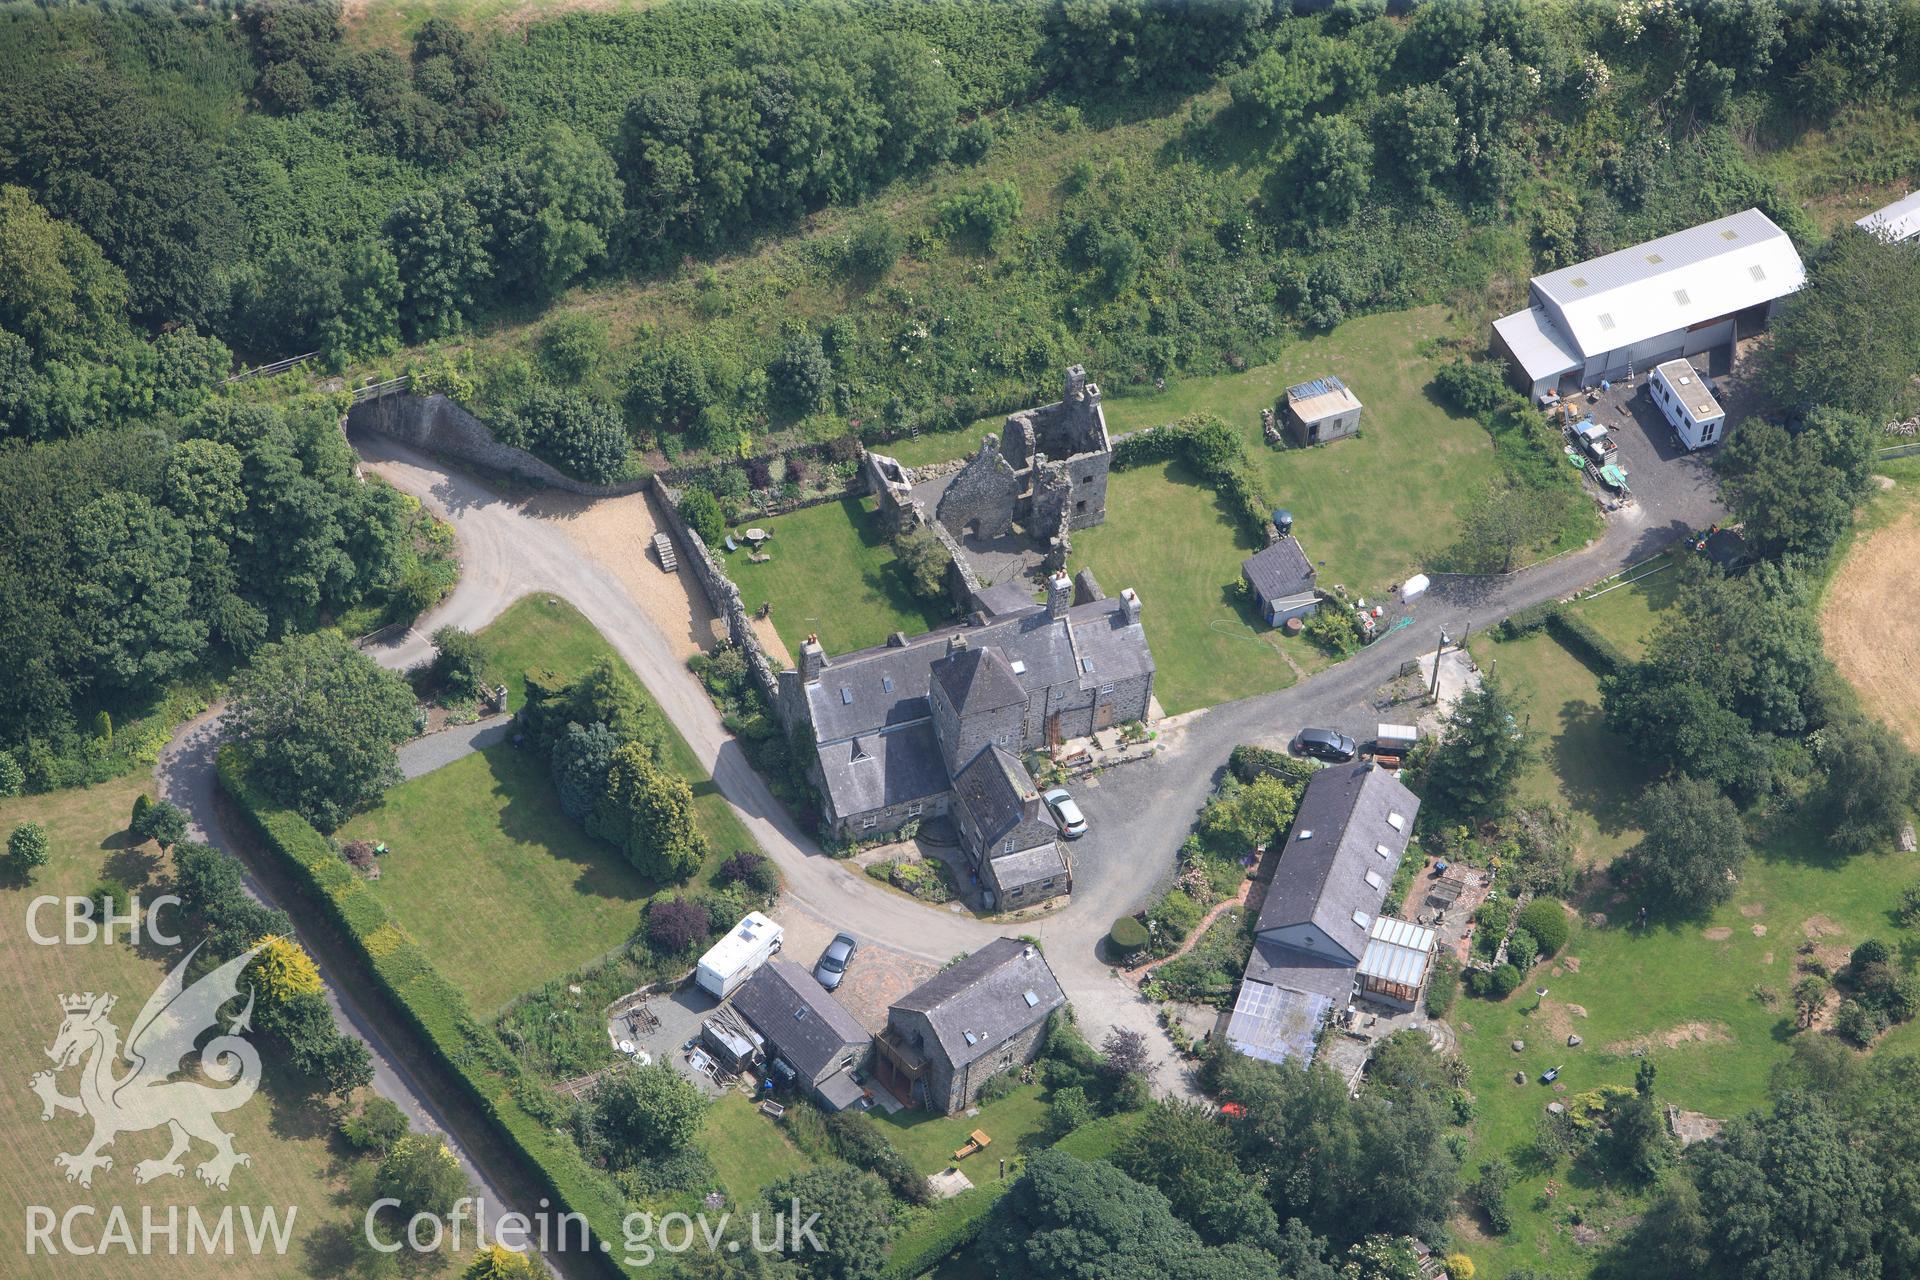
936 726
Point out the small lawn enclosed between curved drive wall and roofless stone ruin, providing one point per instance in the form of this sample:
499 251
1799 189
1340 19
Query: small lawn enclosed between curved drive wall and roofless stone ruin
832 575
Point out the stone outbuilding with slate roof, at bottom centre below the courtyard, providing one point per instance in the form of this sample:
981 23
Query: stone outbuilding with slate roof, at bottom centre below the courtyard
984 1016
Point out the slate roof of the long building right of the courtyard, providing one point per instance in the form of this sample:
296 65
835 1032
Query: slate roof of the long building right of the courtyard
1333 870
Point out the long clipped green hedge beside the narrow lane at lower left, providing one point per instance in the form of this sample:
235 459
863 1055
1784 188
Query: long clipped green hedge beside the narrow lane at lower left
468 1051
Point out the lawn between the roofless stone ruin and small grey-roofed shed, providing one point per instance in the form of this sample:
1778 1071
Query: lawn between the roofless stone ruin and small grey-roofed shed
1168 538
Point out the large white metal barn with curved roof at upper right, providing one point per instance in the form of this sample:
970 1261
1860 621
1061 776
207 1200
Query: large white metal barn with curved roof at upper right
1683 295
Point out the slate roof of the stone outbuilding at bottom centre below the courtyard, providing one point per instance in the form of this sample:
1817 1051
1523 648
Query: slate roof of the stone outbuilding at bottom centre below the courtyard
982 1003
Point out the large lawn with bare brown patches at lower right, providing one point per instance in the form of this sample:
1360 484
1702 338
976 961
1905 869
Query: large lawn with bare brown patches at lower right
1683 991
